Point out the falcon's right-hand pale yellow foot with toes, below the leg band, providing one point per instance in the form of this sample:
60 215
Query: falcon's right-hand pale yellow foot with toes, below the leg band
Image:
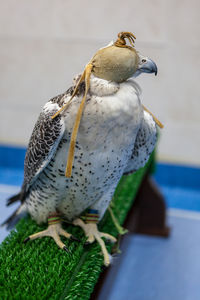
92 233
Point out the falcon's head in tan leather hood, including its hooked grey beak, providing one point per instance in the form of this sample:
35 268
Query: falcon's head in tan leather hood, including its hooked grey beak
119 61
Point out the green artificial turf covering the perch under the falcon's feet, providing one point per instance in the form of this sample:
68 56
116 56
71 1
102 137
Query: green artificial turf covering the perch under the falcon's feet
39 270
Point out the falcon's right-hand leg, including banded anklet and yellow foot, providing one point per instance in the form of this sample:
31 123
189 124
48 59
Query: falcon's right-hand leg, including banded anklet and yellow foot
92 233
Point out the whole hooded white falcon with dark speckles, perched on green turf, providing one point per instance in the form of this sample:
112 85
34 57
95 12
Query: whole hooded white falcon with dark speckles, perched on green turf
112 134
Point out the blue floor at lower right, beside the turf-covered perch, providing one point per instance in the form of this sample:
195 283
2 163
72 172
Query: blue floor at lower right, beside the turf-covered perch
152 268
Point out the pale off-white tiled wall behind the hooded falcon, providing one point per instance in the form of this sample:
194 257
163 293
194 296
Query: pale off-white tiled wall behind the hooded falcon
43 44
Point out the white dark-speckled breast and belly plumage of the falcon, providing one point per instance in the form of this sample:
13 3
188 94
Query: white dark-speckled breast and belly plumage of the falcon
112 119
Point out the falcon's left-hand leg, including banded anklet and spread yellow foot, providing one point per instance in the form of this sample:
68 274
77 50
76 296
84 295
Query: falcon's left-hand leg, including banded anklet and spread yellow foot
54 230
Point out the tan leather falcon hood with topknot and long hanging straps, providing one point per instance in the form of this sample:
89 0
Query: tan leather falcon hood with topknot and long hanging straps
116 62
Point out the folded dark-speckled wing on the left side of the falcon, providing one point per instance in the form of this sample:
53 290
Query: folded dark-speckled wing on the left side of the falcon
43 143
